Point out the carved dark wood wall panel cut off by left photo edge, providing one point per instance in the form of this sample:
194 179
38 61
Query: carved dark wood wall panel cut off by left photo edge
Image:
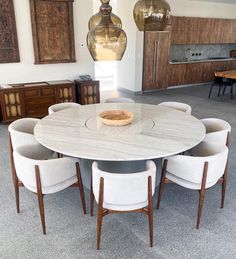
9 51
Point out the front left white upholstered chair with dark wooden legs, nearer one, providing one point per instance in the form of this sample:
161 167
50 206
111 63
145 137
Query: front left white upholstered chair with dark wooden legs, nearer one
46 176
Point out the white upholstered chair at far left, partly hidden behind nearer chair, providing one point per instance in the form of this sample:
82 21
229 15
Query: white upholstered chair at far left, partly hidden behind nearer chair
21 132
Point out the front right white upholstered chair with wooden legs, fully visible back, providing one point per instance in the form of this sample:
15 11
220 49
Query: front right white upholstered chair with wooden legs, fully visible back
205 165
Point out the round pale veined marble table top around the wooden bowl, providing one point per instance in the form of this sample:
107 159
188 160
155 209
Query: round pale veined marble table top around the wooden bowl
155 132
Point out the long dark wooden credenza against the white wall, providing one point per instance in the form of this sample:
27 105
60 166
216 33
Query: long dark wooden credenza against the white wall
33 99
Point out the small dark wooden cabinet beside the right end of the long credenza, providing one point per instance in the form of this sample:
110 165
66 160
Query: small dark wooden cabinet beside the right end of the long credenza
87 91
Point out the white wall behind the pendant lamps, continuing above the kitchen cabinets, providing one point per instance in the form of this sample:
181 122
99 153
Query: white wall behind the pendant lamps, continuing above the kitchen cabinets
130 68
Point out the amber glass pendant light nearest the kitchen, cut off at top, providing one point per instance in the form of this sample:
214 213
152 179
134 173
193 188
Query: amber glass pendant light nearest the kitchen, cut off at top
151 15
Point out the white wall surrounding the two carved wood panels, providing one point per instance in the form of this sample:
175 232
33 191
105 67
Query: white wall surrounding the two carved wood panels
26 71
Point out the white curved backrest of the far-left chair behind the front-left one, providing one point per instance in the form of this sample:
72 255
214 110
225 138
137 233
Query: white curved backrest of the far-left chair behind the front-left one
22 132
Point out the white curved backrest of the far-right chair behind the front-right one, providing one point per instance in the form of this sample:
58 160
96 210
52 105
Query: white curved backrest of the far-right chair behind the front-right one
217 130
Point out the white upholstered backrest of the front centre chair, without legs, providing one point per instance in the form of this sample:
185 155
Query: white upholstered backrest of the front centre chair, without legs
124 191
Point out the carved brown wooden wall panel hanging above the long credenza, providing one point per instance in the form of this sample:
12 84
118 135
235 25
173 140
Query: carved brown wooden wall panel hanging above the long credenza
53 31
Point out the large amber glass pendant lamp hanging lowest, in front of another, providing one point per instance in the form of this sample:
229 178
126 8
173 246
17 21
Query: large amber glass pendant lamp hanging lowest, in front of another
106 41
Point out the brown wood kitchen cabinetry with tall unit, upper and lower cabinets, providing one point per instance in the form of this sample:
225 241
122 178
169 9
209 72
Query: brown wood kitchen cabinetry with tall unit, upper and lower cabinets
159 73
